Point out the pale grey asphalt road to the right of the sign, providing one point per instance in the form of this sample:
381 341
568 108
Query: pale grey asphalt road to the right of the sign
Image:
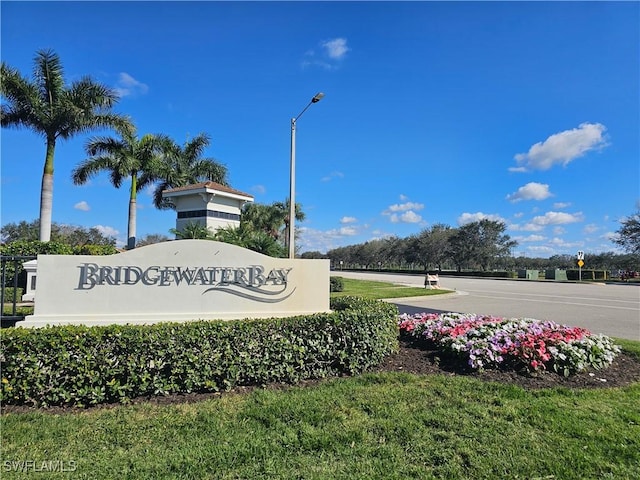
612 309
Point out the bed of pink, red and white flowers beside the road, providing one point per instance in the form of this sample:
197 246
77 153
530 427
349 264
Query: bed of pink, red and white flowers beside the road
519 343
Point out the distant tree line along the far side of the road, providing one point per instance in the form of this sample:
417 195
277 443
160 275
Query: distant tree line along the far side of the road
478 246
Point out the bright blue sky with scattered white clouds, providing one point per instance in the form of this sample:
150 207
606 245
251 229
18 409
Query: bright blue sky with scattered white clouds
528 113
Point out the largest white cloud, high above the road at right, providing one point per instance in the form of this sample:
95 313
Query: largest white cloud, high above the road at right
562 148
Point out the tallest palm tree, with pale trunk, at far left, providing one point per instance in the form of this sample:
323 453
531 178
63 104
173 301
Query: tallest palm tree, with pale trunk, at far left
54 110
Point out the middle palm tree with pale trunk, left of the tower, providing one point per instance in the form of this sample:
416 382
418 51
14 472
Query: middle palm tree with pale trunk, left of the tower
125 157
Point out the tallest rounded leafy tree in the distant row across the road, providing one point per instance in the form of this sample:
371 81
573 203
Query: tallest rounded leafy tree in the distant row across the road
480 244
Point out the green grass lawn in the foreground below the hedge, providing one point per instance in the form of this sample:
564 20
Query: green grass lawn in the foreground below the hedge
387 426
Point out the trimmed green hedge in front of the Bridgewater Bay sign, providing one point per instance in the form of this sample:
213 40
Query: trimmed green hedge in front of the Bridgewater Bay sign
77 365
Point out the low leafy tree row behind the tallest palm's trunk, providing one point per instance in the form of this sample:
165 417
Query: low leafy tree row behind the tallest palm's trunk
68 234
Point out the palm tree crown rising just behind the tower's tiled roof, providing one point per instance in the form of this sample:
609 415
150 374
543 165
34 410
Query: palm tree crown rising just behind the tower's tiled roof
184 165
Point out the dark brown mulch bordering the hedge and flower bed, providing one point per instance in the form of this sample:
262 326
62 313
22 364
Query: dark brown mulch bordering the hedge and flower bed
417 358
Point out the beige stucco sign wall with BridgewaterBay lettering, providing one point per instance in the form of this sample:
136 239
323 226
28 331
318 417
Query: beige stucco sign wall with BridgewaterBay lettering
180 280
